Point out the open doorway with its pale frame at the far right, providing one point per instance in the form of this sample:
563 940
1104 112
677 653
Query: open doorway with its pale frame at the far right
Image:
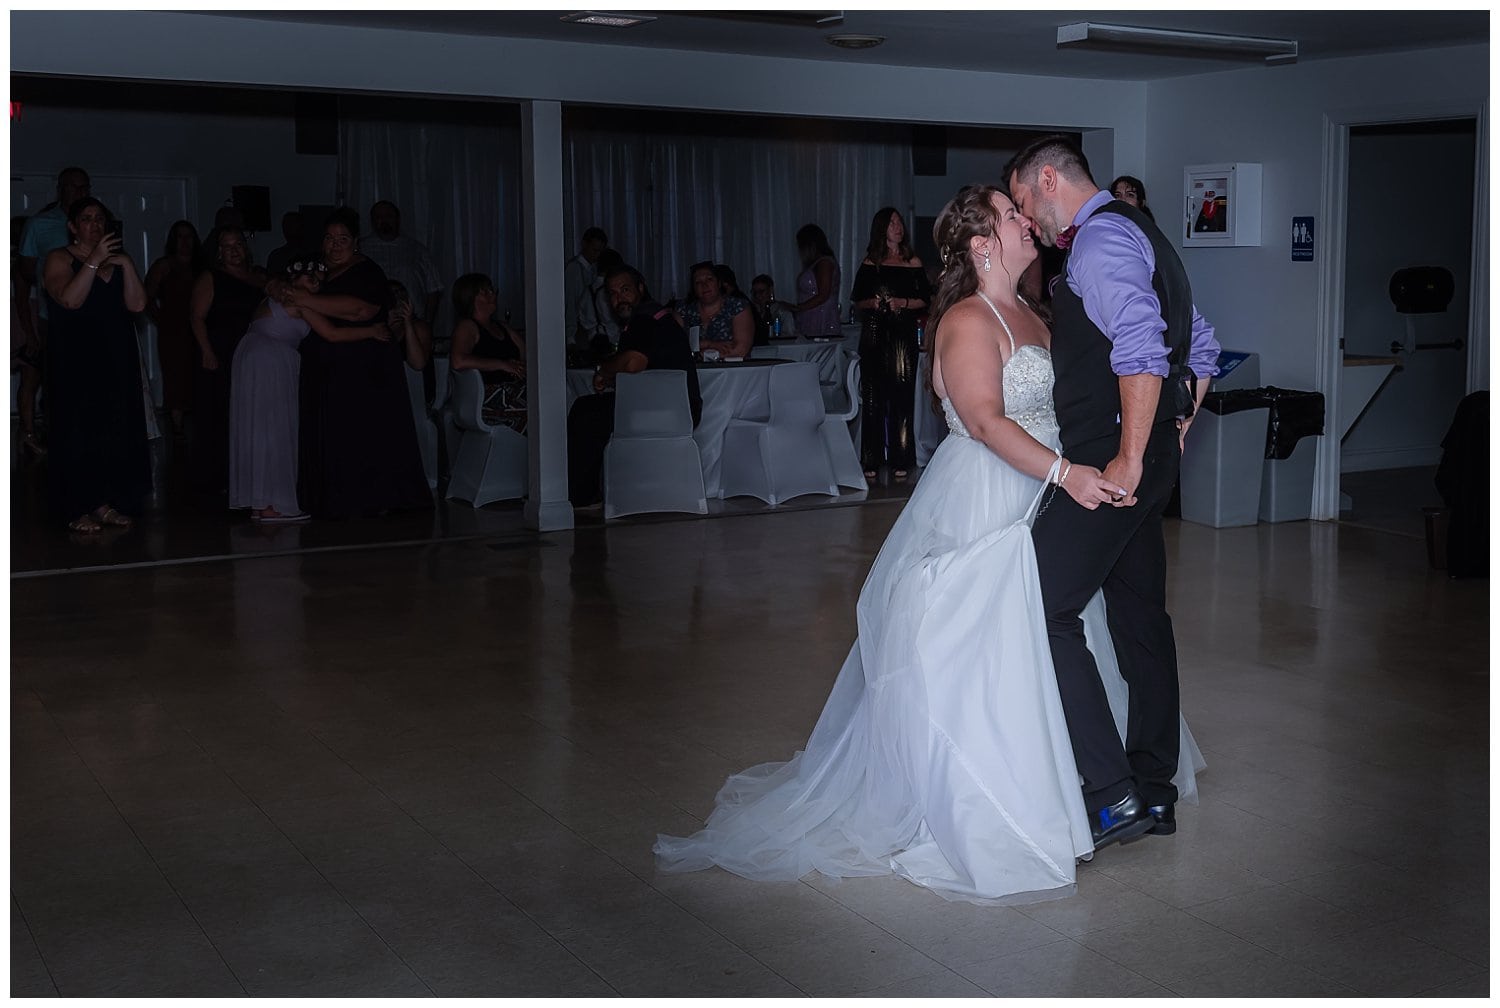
1393 380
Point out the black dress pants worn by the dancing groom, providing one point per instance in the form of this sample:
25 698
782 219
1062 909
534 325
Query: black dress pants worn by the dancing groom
1120 550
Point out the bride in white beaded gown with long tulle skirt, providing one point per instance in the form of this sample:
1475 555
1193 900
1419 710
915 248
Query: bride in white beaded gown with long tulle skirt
943 754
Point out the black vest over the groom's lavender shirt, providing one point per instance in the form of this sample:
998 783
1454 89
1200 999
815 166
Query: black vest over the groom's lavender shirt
1087 391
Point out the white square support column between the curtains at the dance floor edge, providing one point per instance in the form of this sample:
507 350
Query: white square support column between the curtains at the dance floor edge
548 508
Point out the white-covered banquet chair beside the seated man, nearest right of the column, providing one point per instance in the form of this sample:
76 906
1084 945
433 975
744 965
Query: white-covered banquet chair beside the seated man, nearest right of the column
652 461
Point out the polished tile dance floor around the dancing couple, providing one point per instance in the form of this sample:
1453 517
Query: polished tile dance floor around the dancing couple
436 766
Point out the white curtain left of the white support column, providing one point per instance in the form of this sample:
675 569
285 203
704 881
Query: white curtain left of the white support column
455 175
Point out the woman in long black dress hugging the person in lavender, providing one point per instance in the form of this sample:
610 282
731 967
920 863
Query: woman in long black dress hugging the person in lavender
358 440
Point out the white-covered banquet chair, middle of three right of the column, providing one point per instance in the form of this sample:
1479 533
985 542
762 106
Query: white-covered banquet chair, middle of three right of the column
782 457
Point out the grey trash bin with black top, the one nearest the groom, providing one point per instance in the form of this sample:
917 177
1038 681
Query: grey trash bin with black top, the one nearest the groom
1223 466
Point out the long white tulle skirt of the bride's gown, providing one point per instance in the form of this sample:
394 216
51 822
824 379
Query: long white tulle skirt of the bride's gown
943 754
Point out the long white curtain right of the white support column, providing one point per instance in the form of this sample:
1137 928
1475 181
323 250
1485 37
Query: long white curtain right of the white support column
734 191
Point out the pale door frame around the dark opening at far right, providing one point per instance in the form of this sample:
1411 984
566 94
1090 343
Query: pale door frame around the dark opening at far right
1334 209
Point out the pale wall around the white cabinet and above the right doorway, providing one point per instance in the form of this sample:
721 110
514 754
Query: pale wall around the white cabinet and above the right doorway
1259 298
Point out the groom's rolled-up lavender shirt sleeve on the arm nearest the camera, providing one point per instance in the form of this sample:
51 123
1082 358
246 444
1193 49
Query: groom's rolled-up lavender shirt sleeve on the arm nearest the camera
1111 269
